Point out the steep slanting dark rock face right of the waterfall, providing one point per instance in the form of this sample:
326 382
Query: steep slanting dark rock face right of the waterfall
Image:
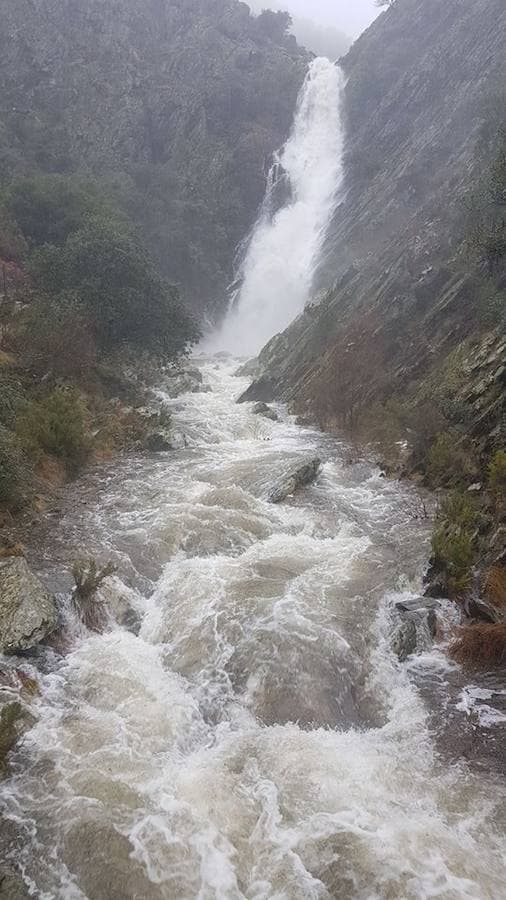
425 92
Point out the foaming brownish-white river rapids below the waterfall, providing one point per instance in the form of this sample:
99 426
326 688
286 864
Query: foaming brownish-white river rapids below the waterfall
249 734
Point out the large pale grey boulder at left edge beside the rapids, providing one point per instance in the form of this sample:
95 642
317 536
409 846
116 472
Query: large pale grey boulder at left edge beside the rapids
28 611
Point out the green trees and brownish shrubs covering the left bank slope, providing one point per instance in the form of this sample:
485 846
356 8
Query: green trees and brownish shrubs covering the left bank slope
79 292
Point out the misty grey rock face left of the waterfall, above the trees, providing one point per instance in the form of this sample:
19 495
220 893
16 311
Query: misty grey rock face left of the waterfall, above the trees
180 103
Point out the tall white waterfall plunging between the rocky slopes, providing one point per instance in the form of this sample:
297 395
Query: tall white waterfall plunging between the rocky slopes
278 268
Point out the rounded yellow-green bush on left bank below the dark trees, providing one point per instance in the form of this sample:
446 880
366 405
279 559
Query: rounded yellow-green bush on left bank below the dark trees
56 425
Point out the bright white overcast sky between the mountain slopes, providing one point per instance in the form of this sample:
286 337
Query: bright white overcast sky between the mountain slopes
350 16
